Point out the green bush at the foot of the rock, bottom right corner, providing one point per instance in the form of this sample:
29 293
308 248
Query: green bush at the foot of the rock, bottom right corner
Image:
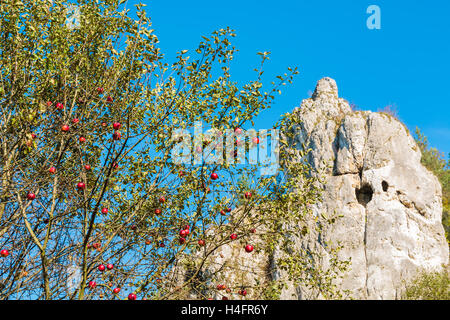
429 286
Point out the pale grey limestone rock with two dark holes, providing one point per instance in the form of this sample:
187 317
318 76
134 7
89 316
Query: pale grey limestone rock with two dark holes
391 205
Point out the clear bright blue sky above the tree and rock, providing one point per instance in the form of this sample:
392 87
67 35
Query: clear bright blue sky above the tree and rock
405 63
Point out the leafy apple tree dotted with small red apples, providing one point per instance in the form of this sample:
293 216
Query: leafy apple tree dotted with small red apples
93 204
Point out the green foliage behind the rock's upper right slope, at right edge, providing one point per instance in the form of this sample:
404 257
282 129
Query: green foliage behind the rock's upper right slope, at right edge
434 161
